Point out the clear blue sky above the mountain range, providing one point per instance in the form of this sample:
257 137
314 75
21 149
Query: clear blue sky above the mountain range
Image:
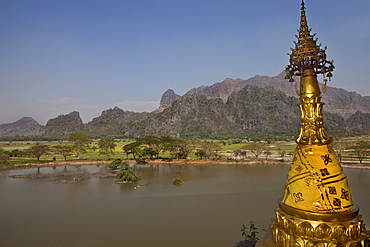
57 56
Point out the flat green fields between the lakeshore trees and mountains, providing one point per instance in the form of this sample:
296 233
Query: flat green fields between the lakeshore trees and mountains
226 150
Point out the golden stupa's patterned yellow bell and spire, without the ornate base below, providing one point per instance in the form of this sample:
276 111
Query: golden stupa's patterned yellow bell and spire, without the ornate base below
315 180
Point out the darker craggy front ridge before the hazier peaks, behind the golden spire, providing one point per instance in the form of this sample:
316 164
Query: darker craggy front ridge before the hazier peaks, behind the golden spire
252 111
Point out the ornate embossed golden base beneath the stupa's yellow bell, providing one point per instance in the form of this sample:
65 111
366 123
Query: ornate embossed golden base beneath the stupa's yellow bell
291 231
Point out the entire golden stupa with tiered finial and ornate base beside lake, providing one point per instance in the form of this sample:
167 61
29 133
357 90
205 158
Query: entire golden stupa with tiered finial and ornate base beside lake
317 209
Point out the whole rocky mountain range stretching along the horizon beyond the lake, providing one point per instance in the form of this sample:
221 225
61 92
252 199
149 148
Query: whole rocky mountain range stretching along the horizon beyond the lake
260 105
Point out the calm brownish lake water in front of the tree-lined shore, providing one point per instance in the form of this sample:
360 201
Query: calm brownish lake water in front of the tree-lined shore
207 210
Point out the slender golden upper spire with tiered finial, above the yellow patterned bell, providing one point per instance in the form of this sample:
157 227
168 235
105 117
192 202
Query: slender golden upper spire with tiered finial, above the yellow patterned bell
306 61
